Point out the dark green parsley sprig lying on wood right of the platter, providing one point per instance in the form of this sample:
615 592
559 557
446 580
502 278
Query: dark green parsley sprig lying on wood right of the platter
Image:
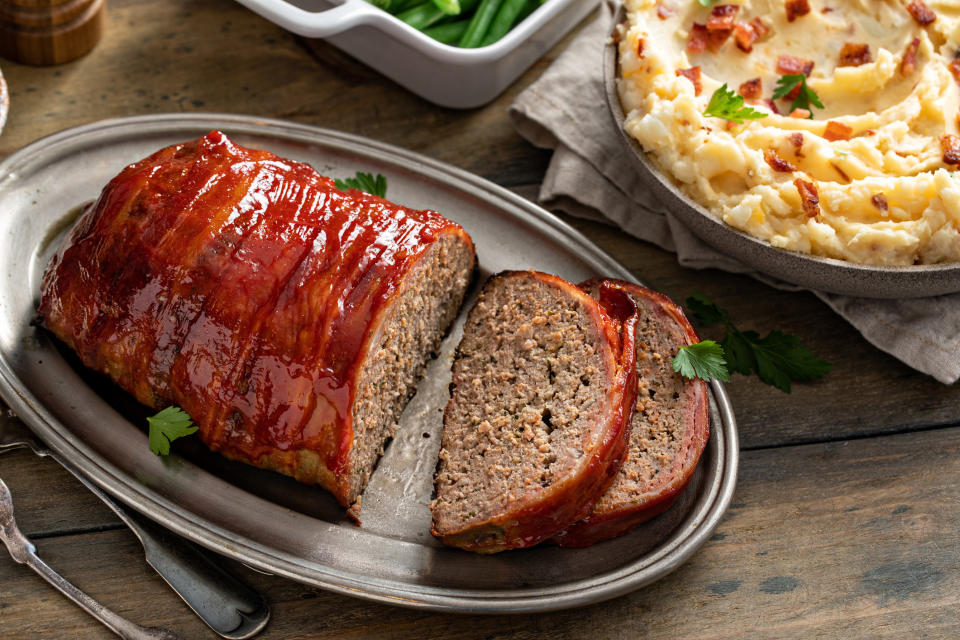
777 358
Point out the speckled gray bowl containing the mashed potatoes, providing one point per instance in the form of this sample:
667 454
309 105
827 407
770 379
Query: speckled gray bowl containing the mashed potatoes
813 272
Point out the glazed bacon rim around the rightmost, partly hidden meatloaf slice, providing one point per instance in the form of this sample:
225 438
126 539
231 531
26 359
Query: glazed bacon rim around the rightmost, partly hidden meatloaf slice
613 520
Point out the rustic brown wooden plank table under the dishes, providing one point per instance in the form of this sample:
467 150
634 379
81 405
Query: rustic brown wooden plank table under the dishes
846 518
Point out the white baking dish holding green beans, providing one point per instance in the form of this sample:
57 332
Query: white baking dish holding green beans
445 75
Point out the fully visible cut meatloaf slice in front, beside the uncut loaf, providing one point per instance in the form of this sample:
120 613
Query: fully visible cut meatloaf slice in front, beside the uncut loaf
543 389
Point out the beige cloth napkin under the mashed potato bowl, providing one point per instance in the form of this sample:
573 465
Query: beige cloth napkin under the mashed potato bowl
589 176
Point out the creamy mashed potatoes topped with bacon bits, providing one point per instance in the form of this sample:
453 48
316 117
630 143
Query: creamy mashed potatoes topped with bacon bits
871 178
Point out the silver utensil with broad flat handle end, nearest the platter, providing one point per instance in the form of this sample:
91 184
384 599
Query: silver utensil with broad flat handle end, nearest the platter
226 605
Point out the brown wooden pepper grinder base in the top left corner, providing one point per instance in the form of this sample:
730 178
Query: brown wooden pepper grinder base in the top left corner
45 32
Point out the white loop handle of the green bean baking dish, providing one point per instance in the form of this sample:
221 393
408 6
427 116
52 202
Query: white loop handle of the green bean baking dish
314 24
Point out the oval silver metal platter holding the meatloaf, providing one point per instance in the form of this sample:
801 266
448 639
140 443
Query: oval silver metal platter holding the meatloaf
268 520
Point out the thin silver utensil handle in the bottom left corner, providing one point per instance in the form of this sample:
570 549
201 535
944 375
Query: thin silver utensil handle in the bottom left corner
24 552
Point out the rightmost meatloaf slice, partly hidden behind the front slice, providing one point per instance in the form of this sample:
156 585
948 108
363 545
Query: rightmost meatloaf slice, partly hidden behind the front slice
669 431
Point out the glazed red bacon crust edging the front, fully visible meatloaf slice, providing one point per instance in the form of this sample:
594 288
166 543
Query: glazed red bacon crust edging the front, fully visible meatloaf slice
568 499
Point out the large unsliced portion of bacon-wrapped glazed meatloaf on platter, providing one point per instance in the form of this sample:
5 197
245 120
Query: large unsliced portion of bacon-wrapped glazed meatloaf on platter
289 319
